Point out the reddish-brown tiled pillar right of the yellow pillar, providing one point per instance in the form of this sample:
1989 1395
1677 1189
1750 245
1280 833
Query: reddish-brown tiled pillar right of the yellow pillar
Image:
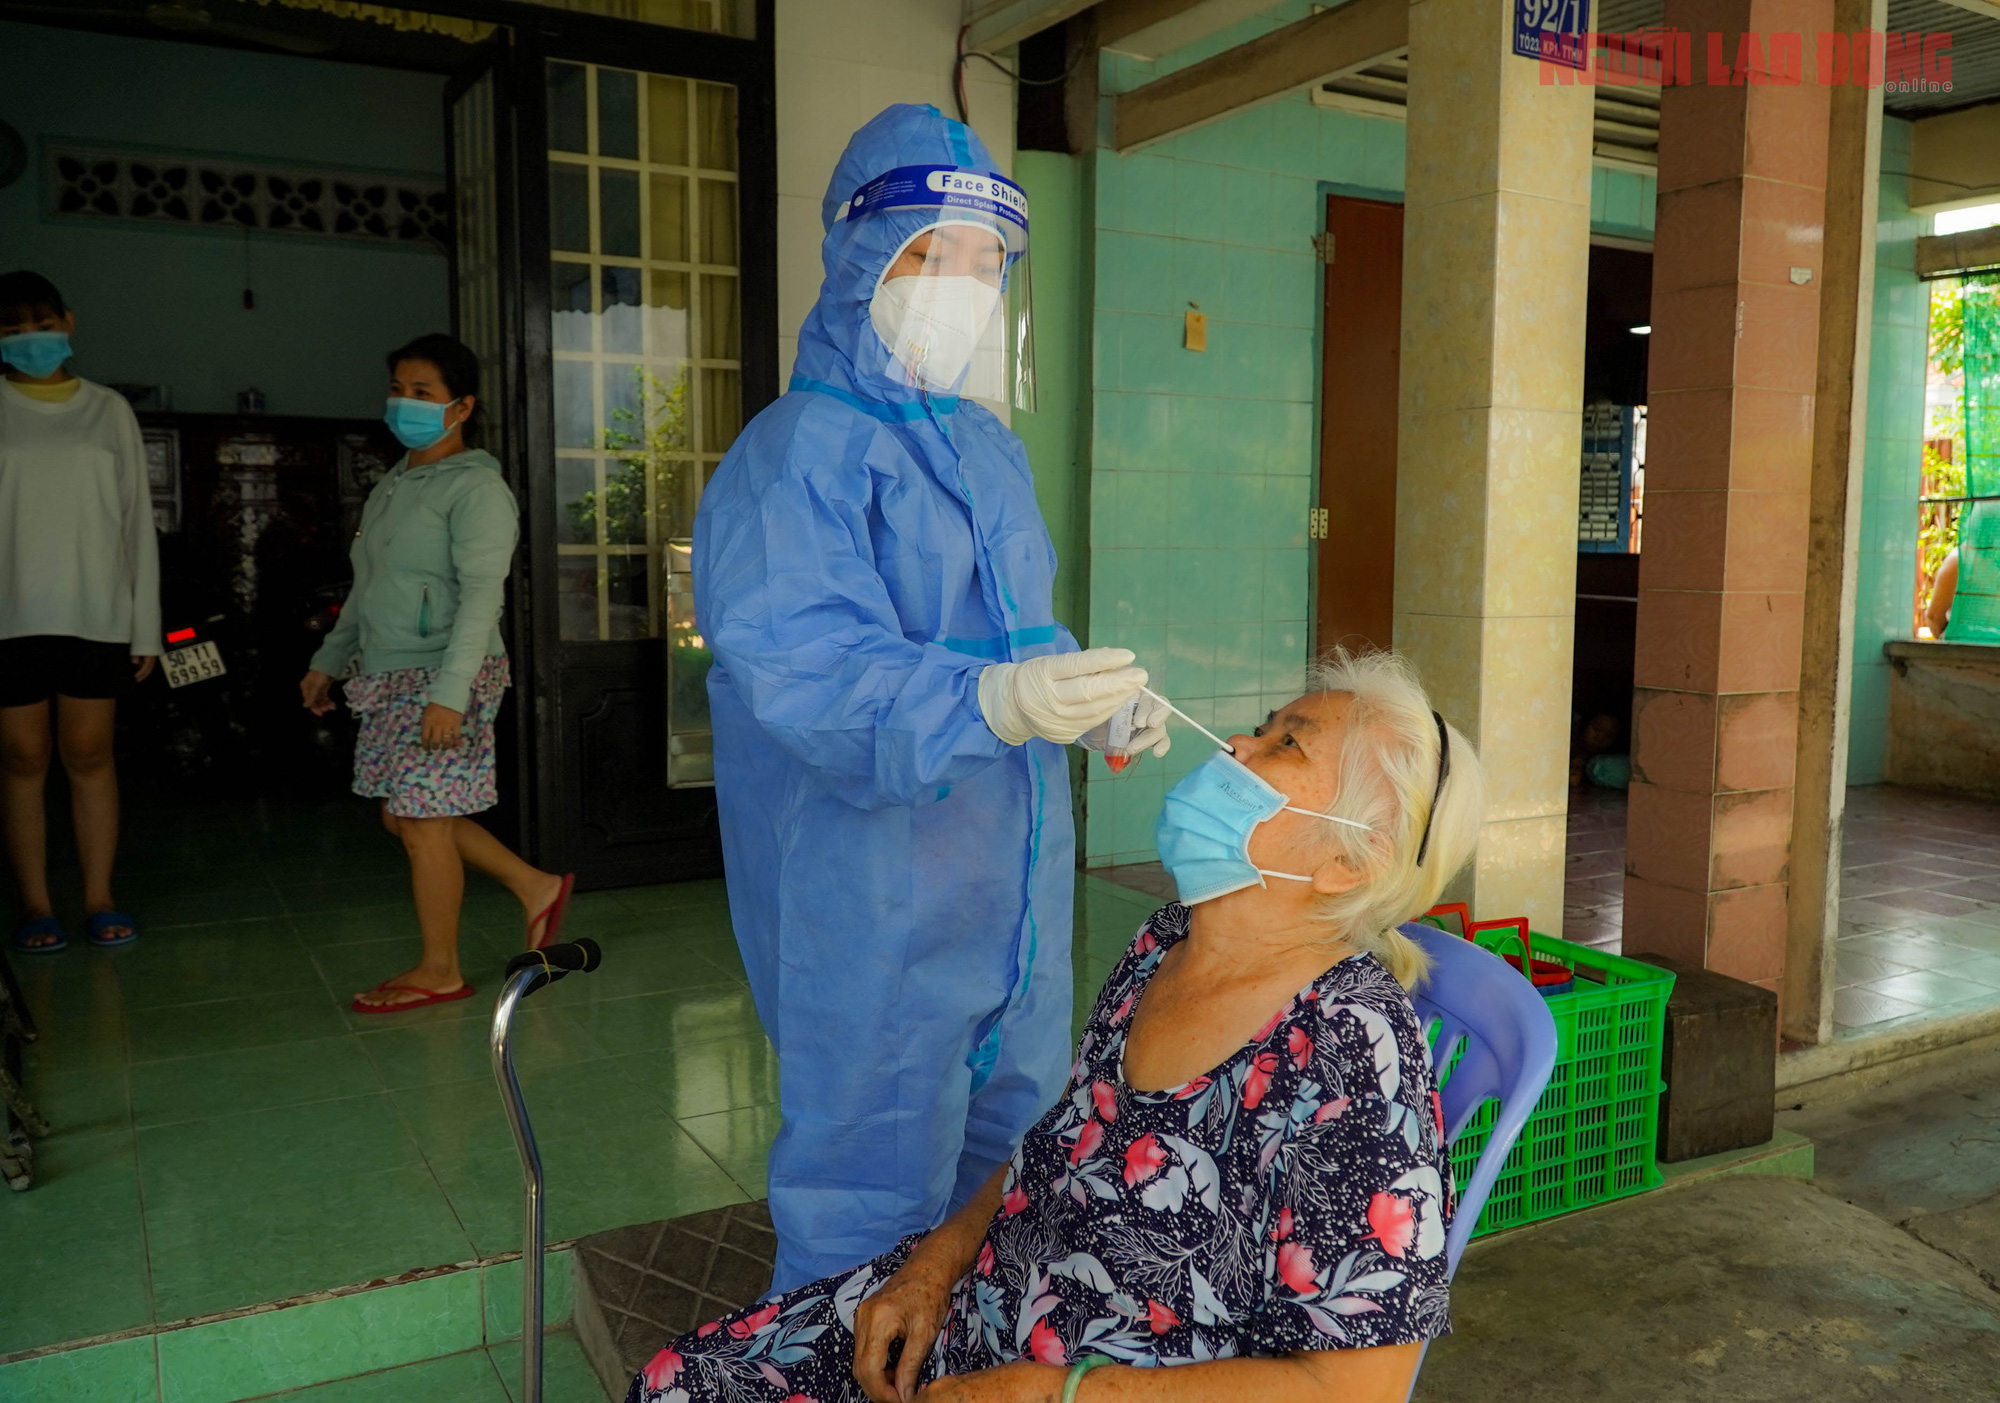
1723 577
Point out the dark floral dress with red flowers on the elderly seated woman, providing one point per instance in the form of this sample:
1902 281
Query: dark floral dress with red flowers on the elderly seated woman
1295 1198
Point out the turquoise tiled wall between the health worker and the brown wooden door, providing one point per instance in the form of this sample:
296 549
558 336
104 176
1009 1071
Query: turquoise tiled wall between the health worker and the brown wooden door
1203 463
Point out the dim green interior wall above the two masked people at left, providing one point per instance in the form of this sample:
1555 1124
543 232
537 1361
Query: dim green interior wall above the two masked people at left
165 307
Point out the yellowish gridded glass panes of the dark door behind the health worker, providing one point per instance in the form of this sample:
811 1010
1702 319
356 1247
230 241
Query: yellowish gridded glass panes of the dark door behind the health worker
647 357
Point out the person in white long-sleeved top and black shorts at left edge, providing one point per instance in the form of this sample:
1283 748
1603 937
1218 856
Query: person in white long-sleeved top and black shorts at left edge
79 603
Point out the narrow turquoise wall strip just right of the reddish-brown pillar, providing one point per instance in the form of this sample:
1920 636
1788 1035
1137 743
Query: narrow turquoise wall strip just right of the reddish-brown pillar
1893 465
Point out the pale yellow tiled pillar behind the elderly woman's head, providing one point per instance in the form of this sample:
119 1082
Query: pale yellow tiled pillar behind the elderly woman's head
1497 245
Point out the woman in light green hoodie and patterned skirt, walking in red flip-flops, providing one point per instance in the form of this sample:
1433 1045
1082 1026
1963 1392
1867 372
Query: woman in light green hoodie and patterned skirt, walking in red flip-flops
419 645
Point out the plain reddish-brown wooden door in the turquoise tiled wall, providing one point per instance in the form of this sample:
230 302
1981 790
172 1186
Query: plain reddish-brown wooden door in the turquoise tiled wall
1361 367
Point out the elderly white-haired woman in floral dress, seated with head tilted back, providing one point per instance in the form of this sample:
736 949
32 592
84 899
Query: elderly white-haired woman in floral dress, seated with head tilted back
1245 1188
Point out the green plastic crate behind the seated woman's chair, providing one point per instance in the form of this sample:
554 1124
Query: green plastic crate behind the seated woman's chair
1593 1134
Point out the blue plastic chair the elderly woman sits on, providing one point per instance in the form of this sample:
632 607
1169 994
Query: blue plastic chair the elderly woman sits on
1511 1050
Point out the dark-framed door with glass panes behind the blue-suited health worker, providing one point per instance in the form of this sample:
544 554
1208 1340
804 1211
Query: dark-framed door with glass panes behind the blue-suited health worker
619 269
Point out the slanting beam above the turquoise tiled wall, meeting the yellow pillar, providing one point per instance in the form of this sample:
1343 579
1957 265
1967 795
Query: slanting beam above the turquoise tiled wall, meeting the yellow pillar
1311 51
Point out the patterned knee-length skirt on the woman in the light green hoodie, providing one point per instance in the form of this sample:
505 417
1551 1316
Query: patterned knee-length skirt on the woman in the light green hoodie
389 754
